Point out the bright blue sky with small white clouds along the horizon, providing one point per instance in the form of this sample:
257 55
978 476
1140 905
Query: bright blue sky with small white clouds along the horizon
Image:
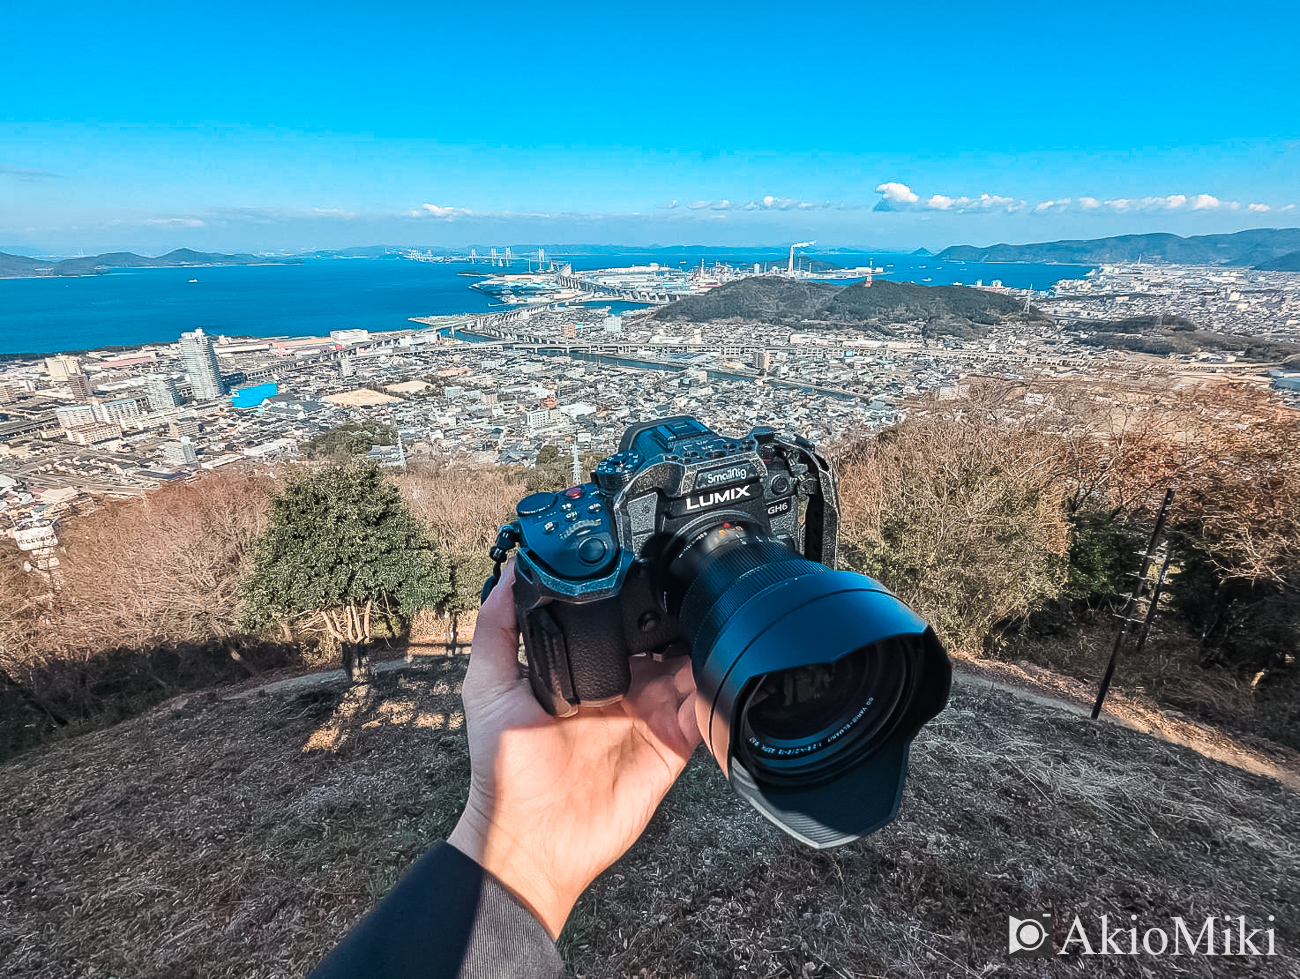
235 127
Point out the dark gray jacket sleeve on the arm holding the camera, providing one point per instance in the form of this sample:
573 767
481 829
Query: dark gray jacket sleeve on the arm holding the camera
448 920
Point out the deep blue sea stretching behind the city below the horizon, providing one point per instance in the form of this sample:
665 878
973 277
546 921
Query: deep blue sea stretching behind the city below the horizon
132 307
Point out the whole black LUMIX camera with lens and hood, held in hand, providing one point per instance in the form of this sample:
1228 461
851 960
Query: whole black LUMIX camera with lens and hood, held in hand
811 682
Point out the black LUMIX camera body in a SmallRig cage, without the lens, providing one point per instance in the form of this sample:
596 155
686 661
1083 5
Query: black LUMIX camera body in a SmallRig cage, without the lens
586 577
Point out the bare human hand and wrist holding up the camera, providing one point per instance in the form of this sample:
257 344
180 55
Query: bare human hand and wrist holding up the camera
554 802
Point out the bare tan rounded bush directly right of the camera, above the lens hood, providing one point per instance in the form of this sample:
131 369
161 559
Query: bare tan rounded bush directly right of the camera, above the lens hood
961 512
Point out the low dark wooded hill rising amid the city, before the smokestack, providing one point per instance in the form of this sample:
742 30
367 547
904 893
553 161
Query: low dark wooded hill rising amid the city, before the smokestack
959 310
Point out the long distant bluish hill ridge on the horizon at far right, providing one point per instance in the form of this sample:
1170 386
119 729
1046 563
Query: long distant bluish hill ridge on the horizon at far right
1254 248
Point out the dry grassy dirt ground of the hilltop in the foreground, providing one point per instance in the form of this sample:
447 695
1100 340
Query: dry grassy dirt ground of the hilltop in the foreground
241 834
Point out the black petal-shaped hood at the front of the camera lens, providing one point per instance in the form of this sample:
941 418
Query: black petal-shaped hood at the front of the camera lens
809 621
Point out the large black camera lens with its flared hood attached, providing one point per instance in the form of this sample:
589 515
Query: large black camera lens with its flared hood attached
811 683
